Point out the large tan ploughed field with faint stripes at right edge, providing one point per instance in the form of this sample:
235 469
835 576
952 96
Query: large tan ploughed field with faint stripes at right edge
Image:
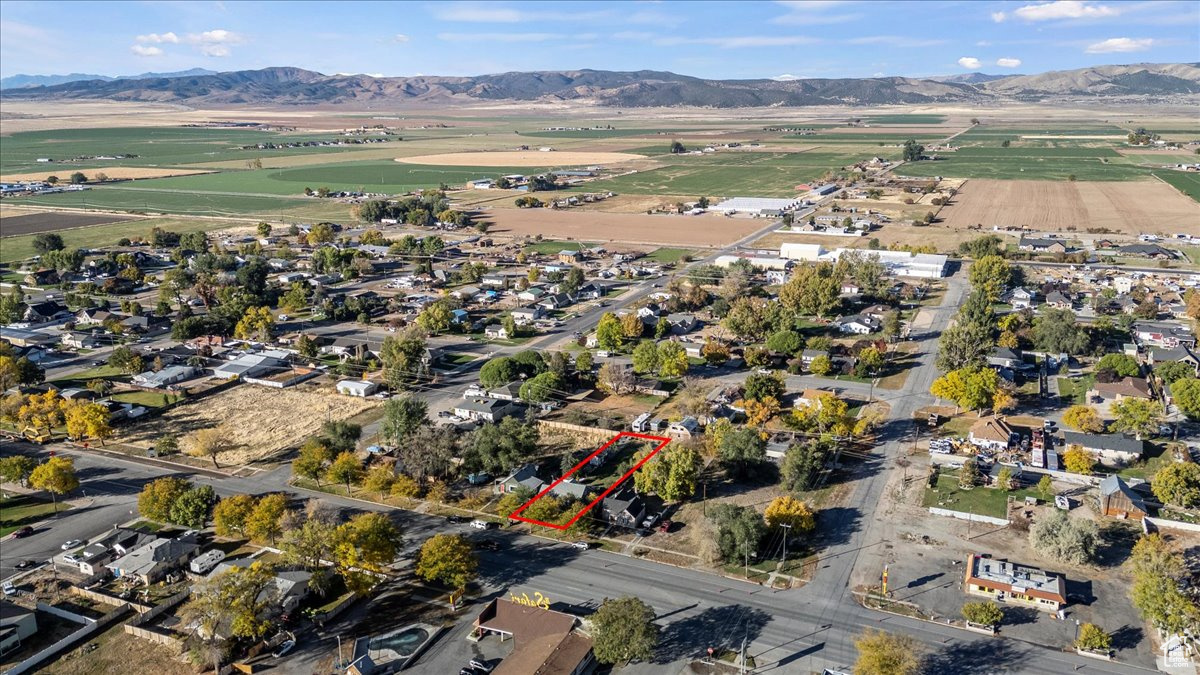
1129 207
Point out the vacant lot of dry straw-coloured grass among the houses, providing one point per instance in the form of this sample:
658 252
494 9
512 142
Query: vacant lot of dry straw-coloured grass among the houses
260 422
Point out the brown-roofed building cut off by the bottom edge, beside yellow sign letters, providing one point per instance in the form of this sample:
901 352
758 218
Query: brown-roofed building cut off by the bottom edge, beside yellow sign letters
544 642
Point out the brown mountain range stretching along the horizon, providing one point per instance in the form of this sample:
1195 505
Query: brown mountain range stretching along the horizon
291 86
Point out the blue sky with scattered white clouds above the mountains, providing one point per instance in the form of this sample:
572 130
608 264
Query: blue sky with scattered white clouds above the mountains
719 40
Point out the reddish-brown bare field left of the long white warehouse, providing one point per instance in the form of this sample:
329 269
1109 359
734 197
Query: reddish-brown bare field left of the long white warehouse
709 231
